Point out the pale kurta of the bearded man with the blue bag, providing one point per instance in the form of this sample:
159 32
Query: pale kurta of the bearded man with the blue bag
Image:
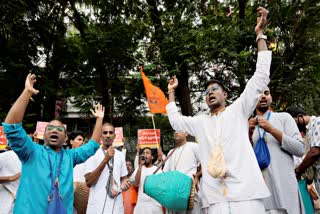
279 175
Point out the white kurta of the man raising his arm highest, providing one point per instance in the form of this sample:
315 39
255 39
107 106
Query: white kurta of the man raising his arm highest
244 179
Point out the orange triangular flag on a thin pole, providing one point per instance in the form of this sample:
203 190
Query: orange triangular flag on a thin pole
157 101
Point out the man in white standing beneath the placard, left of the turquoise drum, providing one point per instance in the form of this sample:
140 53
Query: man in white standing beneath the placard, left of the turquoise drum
145 204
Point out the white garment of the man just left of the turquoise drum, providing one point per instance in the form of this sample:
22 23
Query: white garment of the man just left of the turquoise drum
144 200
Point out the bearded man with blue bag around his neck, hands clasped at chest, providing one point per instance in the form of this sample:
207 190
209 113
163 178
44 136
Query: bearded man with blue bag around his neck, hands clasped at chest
283 140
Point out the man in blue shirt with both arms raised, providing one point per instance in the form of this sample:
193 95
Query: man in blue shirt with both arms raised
38 162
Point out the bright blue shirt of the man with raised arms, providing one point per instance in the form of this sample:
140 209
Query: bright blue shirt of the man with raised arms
35 181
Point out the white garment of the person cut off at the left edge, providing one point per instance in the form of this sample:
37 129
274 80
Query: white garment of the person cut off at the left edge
9 165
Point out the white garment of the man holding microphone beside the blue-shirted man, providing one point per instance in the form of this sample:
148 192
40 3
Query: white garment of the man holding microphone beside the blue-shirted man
99 201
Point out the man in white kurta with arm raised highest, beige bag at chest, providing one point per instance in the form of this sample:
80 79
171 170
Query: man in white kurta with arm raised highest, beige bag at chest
228 126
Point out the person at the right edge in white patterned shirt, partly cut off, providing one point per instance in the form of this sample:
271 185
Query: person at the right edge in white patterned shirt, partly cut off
310 126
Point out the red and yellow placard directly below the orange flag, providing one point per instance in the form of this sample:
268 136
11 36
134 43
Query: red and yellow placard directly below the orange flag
149 138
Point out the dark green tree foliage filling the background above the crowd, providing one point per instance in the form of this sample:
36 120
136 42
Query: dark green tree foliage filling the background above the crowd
89 51
